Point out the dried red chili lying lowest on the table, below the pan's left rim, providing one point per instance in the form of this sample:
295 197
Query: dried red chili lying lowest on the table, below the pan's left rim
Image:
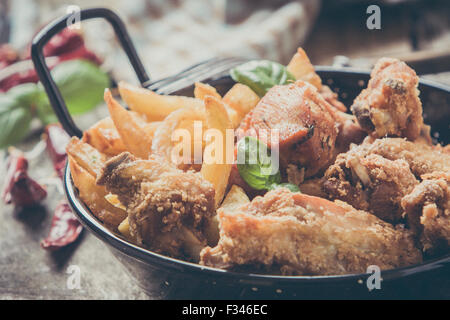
64 230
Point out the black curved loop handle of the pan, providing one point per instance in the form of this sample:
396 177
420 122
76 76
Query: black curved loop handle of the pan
43 72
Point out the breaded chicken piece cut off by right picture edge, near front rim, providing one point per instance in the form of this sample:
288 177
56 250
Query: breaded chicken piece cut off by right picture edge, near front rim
427 209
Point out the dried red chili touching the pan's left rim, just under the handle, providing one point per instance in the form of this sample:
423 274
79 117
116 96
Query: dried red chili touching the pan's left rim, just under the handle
57 139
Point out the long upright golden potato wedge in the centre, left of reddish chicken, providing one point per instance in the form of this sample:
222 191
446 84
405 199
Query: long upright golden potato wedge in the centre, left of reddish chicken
219 170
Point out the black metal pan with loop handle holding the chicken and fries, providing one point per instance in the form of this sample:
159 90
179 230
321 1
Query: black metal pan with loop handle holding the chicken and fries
164 277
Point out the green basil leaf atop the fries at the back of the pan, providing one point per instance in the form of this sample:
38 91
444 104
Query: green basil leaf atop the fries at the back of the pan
261 75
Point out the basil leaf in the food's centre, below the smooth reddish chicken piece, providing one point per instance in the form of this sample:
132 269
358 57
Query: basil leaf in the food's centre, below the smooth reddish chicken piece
254 164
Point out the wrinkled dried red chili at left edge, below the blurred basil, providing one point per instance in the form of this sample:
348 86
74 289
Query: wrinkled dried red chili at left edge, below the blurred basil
20 189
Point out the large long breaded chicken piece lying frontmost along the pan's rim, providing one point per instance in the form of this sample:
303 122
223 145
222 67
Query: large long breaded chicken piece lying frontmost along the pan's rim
307 235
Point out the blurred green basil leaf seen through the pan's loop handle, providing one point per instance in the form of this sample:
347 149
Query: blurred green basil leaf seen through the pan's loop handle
81 83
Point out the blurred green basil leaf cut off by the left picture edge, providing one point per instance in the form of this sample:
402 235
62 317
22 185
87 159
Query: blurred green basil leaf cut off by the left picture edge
15 121
